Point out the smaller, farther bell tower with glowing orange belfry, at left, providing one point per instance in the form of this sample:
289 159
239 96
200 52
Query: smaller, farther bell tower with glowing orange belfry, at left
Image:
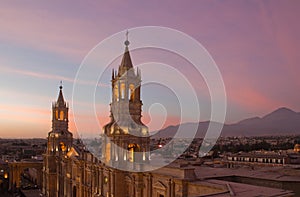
59 143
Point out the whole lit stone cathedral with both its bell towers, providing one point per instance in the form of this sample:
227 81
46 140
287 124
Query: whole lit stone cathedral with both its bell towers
70 170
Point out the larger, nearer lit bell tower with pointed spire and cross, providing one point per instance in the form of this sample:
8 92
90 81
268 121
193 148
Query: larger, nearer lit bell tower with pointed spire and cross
126 137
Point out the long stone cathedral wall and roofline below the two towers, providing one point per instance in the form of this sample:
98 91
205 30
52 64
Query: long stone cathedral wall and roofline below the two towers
85 176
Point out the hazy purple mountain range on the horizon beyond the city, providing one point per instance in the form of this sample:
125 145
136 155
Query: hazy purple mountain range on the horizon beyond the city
280 121
